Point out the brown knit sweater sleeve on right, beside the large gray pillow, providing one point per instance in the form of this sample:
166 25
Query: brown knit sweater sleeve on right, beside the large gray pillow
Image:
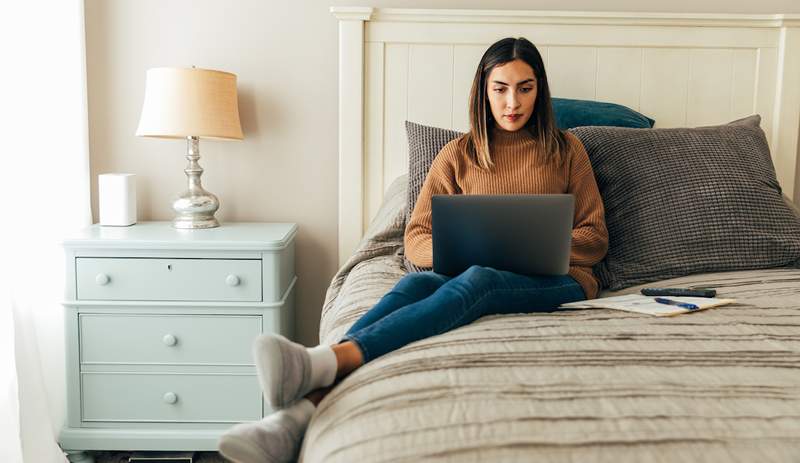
589 233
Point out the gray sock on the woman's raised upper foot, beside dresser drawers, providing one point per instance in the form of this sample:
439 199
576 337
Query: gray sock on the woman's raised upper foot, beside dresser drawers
288 371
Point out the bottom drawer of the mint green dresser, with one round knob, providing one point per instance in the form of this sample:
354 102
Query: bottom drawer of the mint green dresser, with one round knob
170 398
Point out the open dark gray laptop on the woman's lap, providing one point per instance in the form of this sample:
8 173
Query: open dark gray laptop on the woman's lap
525 234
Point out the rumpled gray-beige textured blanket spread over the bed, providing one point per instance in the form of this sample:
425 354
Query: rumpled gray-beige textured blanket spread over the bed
583 385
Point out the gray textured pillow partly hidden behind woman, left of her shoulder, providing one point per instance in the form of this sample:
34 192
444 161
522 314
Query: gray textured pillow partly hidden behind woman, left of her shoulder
424 143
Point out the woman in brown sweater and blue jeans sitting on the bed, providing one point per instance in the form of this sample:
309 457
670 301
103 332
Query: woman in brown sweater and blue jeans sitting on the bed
513 147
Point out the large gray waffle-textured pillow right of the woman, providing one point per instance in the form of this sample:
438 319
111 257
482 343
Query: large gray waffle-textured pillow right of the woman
689 200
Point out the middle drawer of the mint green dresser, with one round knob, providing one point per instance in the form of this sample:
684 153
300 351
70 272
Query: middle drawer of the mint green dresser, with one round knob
168 339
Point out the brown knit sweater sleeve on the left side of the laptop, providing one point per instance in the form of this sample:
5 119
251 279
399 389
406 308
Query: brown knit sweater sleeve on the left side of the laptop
440 180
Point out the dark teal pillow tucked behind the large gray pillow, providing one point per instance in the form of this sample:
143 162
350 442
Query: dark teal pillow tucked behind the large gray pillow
579 113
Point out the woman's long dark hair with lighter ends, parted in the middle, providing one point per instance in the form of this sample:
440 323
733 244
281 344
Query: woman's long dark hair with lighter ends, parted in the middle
541 124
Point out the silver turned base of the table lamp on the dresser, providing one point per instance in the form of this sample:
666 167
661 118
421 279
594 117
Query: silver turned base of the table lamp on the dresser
195 207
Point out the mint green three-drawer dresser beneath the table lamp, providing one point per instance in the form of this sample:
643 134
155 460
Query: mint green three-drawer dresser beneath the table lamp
159 328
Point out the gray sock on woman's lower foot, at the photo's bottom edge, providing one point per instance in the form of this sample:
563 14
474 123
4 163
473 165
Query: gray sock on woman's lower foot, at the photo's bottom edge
274 439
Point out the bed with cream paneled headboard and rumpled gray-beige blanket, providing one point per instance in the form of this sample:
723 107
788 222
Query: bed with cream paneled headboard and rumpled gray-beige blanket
579 385
